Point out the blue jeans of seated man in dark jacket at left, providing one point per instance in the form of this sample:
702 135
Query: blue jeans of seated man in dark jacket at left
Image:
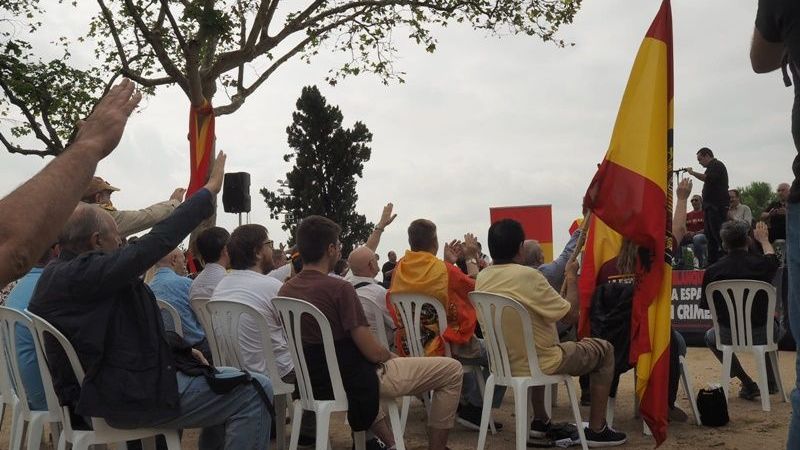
236 420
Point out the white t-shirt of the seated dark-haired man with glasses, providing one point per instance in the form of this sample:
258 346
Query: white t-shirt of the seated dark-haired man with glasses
256 290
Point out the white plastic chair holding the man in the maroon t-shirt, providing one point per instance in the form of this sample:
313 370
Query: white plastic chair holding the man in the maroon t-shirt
291 311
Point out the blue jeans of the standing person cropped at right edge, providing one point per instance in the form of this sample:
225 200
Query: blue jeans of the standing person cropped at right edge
793 263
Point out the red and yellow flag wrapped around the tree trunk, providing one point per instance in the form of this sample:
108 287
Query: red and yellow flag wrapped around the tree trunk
201 145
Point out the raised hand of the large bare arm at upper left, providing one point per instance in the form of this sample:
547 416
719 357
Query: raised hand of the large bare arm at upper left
102 130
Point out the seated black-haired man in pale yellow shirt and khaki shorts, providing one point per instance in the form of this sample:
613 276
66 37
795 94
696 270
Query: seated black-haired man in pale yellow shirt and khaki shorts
594 357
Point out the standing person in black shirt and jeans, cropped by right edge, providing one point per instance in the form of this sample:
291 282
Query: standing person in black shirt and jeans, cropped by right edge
776 44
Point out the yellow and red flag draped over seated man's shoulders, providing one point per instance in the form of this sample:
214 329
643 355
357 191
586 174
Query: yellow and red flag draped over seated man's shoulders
424 273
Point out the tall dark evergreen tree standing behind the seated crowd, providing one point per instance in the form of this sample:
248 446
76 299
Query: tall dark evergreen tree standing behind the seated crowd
328 158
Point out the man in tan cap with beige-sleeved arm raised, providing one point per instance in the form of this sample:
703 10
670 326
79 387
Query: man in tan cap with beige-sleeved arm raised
130 222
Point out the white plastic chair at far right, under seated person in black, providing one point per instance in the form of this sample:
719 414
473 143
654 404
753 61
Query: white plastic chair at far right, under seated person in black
738 296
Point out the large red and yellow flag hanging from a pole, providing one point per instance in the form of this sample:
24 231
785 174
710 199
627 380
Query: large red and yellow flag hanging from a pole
631 193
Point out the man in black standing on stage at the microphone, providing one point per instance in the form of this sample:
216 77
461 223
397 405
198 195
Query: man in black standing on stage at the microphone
715 199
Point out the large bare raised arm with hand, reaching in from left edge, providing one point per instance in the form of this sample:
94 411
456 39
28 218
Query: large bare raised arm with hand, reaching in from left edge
34 213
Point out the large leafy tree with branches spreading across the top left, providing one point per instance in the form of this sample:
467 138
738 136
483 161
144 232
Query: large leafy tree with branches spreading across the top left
204 46
